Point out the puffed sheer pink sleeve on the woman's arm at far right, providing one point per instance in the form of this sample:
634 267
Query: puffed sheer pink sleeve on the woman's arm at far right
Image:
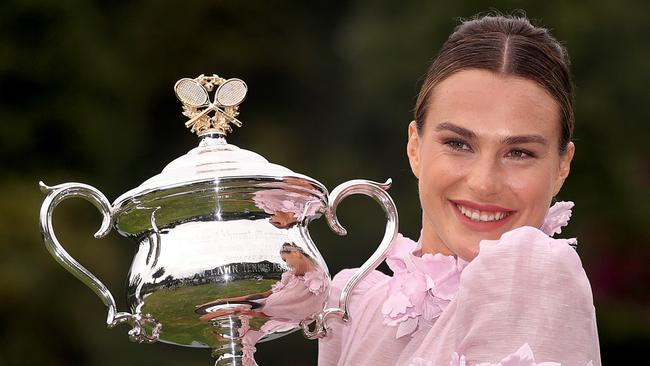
525 293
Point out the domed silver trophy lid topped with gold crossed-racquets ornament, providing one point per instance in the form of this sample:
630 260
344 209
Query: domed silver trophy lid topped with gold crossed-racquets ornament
214 164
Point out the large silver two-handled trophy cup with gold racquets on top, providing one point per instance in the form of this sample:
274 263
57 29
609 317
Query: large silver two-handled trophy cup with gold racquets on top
224 258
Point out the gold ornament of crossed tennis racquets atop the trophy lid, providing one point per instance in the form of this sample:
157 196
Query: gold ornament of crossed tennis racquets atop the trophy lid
193 93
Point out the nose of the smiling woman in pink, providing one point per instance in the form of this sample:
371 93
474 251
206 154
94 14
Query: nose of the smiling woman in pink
486 178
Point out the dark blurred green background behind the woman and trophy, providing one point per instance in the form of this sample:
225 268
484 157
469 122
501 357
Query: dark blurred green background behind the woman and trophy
86 95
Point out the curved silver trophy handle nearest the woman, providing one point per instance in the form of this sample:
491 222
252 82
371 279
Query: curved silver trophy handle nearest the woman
378 192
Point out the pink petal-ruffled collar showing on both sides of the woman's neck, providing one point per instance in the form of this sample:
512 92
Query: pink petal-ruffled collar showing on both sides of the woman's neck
424 284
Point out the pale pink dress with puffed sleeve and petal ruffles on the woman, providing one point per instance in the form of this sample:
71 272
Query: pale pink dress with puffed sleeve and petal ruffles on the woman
524 300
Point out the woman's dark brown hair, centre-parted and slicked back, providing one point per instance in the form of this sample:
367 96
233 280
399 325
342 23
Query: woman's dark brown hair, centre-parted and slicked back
508 45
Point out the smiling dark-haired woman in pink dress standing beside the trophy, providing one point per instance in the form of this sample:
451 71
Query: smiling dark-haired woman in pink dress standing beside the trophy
486 284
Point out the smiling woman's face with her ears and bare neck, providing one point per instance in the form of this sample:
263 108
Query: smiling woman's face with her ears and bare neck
487 159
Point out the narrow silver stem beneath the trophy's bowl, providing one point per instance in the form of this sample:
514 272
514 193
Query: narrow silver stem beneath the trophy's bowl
235 351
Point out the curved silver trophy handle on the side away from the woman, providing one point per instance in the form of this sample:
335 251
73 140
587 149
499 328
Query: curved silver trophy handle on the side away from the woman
142 324
